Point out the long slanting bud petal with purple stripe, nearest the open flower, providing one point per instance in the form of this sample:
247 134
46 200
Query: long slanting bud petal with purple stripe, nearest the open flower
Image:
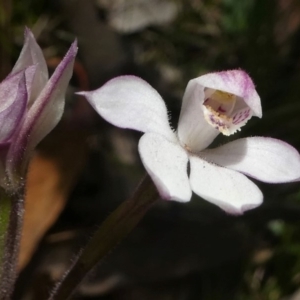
43 115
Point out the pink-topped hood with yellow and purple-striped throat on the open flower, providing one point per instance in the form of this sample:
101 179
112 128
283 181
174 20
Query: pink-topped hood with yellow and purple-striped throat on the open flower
213 103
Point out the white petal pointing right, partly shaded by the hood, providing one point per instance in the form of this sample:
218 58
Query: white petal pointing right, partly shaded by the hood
265 159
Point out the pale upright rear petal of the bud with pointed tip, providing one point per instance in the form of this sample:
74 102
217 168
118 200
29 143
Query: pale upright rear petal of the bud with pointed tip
32 54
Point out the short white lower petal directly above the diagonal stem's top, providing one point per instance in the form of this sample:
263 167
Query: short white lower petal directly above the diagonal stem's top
166 163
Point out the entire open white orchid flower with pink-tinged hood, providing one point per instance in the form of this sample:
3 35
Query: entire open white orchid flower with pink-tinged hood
179 162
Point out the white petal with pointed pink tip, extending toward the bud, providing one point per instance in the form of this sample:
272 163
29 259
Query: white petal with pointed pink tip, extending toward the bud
130 102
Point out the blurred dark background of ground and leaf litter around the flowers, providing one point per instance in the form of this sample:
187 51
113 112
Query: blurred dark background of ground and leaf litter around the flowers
86 167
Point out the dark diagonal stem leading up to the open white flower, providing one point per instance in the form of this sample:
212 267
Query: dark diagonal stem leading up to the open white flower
112 231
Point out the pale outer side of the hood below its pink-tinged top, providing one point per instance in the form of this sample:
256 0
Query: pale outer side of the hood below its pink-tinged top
193 130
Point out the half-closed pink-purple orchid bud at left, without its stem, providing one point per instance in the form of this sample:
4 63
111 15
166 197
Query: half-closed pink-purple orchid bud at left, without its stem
31 105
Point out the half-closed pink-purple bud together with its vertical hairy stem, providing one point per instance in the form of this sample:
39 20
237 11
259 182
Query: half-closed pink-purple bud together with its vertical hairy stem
31 105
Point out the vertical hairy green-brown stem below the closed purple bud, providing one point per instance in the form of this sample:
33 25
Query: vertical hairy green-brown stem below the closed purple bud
11 218
